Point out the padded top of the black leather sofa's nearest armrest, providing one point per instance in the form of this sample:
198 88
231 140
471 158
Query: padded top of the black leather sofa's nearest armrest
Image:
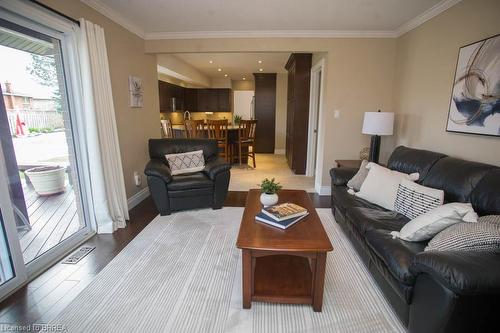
465 273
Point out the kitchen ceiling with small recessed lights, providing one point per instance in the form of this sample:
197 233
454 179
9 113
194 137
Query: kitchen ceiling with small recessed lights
235 65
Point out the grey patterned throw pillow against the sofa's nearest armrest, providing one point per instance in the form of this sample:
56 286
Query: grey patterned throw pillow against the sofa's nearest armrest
481 236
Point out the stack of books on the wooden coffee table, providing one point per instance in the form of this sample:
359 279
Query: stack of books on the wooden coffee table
283 215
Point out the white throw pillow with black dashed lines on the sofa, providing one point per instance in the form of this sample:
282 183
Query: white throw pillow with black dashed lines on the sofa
413 199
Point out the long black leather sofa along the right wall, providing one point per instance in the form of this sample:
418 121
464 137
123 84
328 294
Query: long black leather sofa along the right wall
430 291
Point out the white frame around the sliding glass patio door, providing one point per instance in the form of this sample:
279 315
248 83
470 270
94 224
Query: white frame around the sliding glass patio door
38 19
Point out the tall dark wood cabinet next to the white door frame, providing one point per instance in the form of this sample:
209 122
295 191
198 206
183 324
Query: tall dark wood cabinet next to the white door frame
299 78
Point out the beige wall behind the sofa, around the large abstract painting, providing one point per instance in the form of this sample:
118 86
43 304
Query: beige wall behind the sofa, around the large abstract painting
426 59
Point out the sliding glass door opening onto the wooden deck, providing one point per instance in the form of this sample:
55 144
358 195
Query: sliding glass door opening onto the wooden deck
44 186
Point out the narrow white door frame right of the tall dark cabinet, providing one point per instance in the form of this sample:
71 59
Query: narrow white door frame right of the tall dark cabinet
315 114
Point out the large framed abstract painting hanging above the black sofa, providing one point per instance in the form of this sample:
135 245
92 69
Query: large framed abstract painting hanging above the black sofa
475 99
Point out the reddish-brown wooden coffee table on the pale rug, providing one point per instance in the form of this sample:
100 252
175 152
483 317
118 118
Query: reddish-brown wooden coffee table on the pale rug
283 266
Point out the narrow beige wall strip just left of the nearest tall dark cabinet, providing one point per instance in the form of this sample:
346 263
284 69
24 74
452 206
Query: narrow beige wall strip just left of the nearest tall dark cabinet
281 104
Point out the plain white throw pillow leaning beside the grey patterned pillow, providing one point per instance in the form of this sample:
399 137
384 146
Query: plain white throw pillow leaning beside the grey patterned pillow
434 221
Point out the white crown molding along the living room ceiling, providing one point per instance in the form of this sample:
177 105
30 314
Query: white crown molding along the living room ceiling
115 16
